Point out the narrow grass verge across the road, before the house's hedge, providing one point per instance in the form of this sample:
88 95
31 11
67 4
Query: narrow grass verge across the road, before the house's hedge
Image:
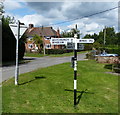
52 55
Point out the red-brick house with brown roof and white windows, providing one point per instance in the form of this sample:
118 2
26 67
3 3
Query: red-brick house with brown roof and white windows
46 33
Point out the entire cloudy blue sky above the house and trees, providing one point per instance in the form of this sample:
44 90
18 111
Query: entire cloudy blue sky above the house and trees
50 13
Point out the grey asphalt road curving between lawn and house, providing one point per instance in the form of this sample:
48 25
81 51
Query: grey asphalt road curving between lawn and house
9 71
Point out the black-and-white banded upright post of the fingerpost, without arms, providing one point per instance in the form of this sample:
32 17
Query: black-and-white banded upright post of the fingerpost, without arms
75 70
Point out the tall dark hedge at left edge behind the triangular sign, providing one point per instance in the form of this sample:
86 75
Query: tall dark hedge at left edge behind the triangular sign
9 42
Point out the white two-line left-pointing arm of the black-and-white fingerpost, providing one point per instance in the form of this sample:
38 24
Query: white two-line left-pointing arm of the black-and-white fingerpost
60 41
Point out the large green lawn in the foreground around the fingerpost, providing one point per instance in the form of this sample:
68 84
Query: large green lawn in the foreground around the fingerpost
49 90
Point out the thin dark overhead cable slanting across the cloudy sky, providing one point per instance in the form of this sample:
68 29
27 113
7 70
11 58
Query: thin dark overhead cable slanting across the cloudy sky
85 16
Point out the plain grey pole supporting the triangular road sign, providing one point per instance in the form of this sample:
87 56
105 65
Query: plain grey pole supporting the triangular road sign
17 66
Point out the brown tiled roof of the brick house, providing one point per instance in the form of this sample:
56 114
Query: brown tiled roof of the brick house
41 31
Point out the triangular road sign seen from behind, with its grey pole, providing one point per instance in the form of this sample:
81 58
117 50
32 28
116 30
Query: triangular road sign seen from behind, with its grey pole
18 31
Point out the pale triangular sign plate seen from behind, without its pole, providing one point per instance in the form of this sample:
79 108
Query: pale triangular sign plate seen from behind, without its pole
14 28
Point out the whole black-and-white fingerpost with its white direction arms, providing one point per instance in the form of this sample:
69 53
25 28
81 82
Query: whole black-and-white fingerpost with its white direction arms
75 44
